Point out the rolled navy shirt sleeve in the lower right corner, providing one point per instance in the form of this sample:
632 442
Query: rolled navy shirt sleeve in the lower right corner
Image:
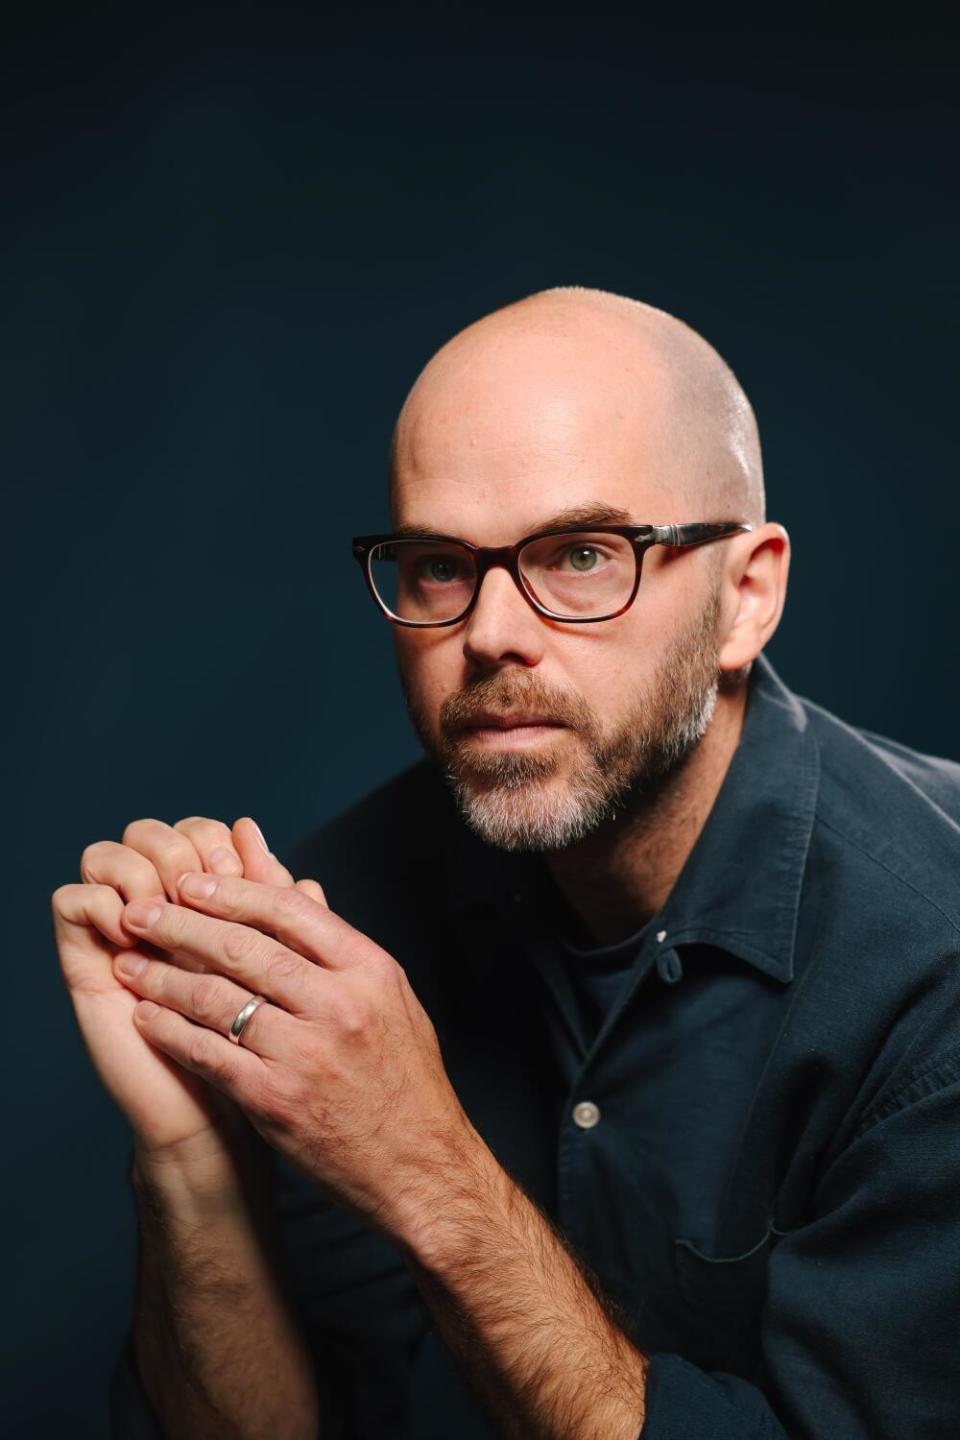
859 1337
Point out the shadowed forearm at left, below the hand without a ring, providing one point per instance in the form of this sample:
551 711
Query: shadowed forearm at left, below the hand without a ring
218 1351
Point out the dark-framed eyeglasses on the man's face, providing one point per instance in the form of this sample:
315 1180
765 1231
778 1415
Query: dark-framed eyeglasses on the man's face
575 575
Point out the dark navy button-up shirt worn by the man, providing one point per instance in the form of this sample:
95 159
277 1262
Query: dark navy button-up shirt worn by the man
752 1134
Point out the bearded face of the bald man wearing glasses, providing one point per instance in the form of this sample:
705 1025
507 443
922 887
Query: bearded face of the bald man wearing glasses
494 450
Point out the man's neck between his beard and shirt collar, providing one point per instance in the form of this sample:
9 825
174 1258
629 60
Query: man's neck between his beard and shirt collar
621 876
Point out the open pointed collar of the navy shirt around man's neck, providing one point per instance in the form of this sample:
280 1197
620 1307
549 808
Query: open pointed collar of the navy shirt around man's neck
741 885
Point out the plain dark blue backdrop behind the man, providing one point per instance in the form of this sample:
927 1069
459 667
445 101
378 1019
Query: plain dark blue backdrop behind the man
230 244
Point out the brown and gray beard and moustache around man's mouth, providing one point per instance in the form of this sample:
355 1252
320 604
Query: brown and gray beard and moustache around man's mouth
522 803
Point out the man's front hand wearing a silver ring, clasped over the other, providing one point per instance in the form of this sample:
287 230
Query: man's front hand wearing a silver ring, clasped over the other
340 1068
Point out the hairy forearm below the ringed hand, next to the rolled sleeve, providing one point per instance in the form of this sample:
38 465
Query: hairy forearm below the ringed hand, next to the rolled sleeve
543 1347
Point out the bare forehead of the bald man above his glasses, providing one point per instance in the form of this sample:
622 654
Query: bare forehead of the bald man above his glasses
503 446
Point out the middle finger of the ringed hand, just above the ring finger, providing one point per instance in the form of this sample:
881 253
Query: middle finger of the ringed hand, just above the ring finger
241 953
